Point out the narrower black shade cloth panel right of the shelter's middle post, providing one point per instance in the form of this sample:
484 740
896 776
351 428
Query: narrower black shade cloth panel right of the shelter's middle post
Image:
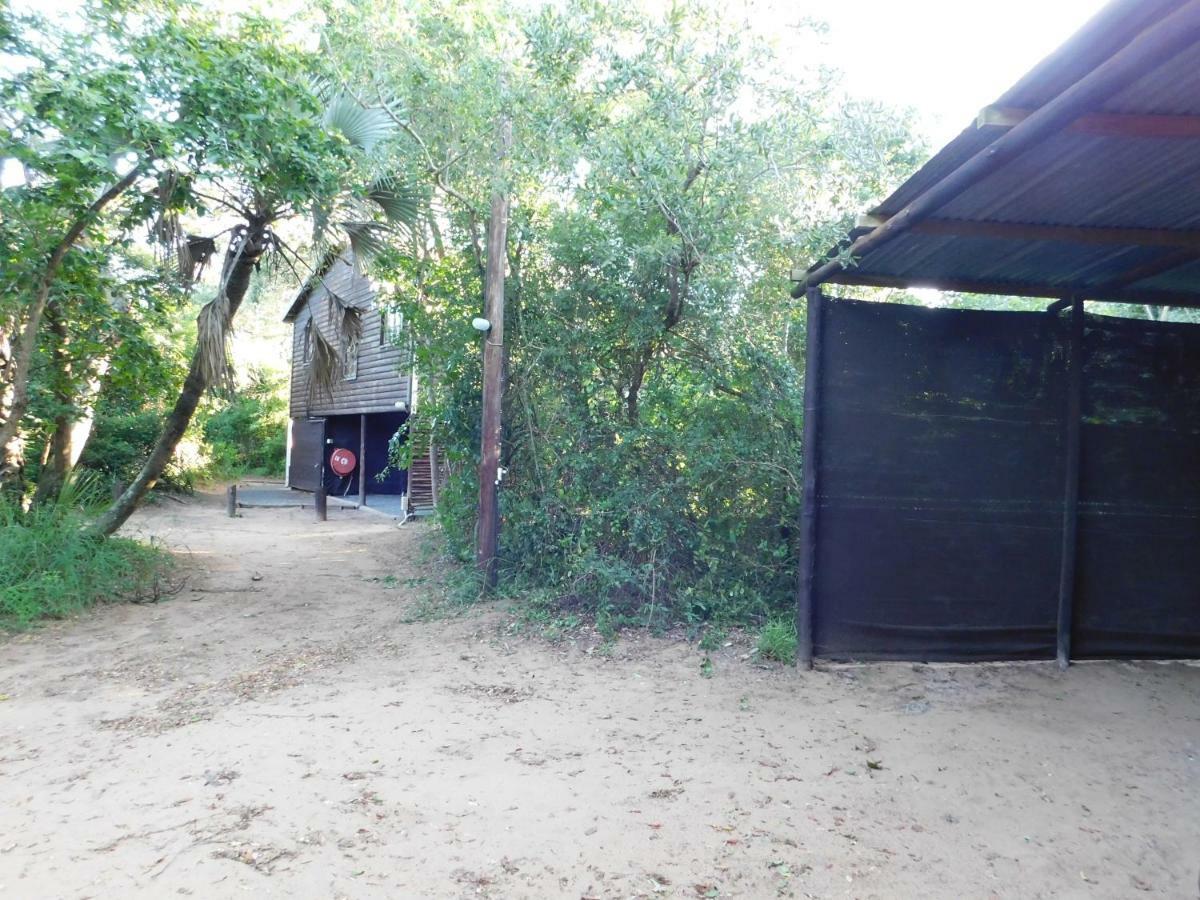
1139 502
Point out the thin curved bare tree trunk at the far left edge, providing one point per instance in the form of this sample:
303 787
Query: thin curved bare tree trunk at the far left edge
13 454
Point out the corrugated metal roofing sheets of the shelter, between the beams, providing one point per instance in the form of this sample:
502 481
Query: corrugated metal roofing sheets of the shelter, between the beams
1072 179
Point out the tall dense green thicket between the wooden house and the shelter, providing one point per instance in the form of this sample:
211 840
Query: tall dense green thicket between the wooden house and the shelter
673 169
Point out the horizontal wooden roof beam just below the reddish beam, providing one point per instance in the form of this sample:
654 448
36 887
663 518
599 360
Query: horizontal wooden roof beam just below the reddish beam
1187 239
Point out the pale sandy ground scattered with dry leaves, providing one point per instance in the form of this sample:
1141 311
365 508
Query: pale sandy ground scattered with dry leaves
284 728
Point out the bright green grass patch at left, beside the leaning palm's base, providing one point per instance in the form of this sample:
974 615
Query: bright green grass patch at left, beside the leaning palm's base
55 566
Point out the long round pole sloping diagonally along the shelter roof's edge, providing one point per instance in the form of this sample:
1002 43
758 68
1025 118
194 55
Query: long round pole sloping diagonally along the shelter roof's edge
1163 41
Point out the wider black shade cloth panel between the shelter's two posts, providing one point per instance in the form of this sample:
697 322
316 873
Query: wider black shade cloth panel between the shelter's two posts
940 500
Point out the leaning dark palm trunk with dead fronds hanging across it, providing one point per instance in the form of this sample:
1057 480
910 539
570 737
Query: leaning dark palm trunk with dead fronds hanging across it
241 260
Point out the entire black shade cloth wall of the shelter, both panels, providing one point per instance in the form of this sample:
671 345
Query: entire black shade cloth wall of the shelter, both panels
941 473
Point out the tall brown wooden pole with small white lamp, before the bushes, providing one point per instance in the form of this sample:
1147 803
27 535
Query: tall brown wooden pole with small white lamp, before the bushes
489 532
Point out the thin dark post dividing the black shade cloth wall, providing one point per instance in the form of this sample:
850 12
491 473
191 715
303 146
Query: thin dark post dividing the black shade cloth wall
1075 413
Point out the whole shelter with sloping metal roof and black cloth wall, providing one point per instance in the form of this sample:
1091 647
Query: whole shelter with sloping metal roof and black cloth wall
1021 485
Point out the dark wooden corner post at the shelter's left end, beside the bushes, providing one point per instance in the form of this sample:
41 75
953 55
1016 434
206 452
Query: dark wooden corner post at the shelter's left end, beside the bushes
806 601
